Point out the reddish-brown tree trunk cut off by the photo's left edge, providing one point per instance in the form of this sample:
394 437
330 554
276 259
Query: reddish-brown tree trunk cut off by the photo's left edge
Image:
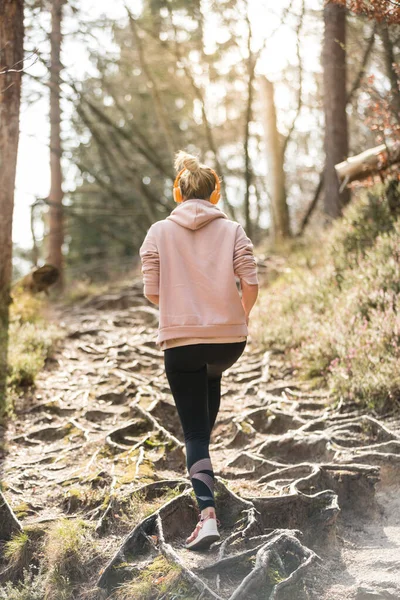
11 57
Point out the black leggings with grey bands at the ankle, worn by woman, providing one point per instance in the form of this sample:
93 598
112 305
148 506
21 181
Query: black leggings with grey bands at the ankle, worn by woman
194 374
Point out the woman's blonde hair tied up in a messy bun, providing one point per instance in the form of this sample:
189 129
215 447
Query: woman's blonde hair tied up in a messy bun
198 180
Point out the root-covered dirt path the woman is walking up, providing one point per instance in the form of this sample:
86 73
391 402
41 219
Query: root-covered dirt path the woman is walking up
307 489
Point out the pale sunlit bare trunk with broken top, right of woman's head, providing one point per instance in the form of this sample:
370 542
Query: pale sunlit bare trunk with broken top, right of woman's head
276 173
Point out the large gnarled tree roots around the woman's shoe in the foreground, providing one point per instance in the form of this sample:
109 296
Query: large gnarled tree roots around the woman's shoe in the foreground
280 558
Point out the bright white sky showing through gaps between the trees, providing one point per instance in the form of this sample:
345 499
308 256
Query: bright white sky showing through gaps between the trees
33 177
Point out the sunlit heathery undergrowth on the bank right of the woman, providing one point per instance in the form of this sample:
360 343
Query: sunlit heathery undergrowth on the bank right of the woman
335 310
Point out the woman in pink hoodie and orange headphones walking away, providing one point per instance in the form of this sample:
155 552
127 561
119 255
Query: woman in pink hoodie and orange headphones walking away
189 263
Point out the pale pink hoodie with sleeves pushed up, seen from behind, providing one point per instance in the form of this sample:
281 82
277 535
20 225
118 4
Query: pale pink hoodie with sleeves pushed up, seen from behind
190 259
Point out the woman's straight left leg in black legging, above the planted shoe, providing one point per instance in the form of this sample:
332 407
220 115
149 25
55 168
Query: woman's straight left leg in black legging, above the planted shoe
186 372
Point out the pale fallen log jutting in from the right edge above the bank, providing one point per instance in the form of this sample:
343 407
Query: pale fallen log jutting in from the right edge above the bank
367 163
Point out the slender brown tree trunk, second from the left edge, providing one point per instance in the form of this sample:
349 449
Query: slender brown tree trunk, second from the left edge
56 216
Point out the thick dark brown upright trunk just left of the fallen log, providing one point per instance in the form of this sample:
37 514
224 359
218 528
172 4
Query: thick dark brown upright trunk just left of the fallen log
336 131
